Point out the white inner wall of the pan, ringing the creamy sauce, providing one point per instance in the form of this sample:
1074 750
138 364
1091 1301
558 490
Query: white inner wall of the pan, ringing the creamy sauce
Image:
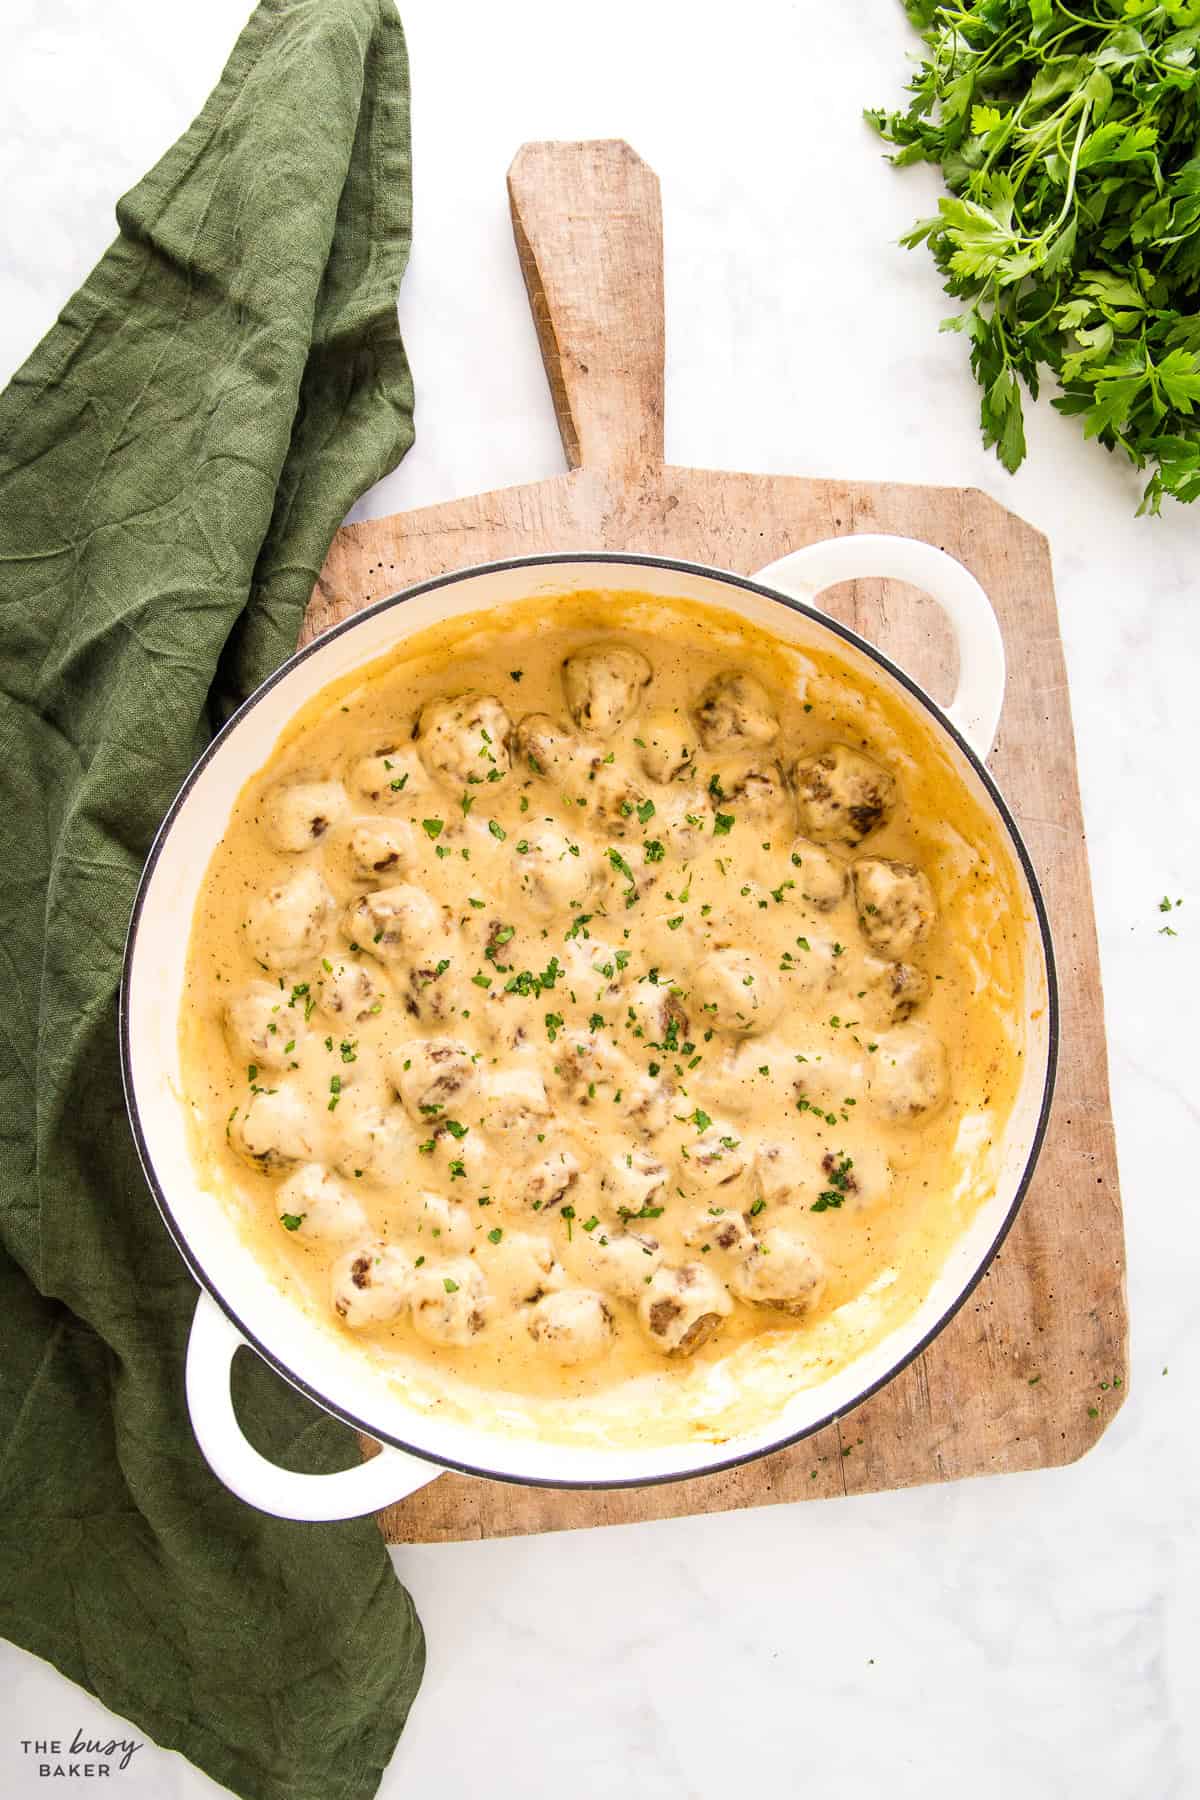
316 1354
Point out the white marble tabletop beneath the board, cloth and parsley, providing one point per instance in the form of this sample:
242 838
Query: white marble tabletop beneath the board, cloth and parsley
1030 1635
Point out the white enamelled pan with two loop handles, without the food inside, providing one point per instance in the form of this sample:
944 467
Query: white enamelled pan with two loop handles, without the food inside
240 1306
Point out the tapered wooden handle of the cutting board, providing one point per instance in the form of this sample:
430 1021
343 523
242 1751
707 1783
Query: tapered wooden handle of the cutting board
589 235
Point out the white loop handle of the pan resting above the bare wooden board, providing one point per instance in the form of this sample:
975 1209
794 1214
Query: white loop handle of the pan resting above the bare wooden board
976 708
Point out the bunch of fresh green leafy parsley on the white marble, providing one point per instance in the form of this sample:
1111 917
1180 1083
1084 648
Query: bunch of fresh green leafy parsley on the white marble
1070 139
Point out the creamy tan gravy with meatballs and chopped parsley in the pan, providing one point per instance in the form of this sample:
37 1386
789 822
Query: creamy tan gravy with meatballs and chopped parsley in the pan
598 1054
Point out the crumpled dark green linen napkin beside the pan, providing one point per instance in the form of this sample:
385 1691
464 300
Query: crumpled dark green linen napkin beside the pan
174 462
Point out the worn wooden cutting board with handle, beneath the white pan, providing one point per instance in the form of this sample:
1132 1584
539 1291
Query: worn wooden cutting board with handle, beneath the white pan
1034 1367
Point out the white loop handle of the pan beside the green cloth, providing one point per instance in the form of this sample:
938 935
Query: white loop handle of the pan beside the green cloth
262 1484
